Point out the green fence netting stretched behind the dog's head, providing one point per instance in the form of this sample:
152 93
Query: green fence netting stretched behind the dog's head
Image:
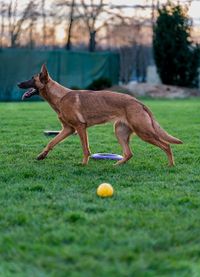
70 68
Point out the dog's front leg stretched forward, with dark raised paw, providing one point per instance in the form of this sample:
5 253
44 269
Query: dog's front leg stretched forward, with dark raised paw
65 132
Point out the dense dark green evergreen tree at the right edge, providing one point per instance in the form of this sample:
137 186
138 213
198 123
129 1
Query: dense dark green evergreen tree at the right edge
176 57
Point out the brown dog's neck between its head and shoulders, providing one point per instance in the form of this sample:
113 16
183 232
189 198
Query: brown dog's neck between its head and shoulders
53 93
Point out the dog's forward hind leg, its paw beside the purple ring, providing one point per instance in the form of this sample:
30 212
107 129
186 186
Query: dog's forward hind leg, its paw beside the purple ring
123 133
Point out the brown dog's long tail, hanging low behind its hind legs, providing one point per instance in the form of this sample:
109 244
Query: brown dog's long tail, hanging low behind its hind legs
161 133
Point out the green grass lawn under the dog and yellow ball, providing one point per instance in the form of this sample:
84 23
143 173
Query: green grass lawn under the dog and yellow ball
53 224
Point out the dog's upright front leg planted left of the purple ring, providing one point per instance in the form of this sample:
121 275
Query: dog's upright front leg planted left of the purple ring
81 129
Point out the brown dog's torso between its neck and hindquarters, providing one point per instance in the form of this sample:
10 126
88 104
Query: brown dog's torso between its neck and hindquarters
97 107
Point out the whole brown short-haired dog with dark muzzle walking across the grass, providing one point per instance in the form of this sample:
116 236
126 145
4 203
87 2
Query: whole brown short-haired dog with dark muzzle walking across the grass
80 109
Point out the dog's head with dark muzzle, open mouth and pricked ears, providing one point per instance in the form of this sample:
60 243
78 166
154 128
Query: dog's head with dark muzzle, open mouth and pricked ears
36 83
